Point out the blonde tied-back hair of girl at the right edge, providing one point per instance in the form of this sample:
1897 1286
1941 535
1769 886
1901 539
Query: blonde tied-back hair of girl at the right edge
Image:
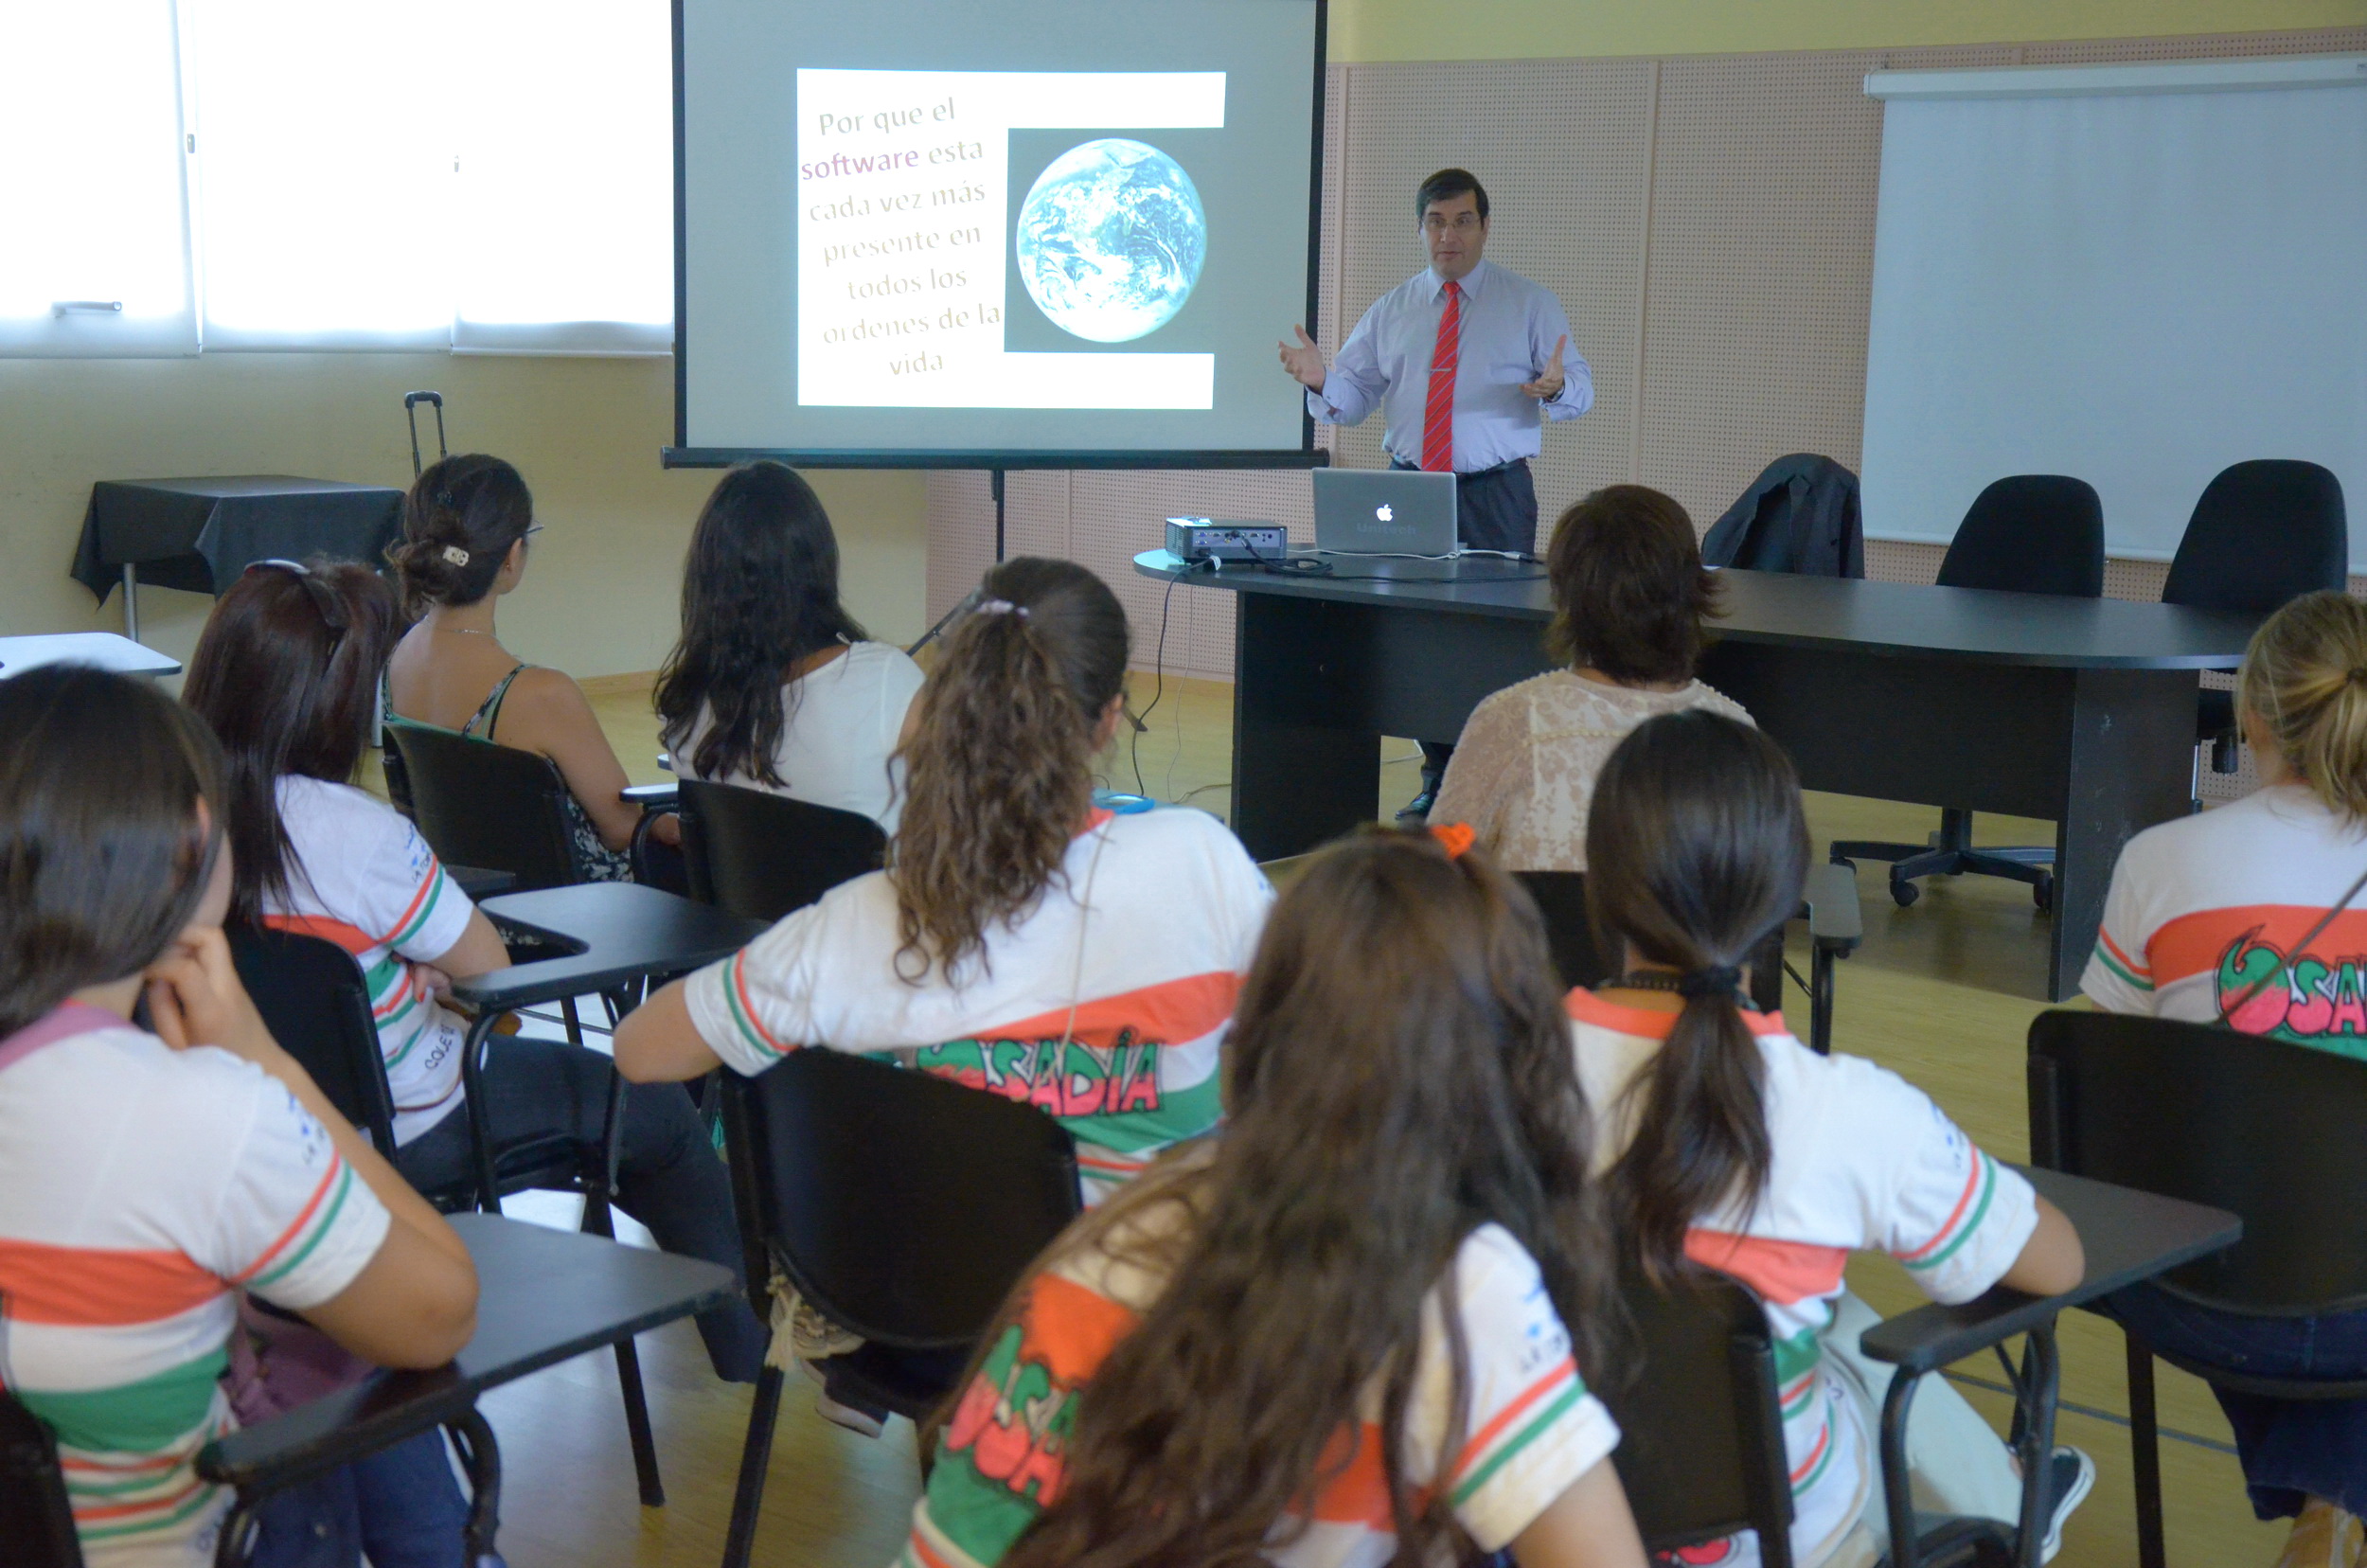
2307 681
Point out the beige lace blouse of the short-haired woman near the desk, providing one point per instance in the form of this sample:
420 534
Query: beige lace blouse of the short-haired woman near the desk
1526 769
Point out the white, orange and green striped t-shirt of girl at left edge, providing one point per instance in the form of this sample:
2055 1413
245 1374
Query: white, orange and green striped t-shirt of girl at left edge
138 1190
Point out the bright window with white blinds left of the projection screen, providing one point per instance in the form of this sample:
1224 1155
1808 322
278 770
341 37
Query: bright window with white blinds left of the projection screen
486 176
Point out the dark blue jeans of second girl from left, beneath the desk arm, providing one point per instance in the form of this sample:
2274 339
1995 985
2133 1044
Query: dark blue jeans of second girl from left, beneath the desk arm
666 1178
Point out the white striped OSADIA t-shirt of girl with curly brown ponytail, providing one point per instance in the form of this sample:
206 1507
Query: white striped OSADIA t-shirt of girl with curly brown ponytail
1107 1003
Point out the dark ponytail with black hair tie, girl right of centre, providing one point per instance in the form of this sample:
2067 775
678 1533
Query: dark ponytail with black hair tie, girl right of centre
1696 849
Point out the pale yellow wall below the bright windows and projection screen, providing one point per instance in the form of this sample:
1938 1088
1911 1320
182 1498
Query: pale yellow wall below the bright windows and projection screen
602 596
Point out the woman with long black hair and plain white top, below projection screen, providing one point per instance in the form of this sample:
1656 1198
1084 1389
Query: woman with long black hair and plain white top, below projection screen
775 686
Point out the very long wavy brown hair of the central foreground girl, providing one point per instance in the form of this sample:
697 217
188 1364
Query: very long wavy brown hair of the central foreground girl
1400 1077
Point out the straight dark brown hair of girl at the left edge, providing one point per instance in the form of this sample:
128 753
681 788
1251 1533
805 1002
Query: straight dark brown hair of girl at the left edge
103 856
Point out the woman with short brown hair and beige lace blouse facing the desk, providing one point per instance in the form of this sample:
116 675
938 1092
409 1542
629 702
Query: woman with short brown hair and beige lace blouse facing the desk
1630 600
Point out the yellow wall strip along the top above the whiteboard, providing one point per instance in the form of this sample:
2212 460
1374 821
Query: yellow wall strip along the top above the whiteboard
1561 30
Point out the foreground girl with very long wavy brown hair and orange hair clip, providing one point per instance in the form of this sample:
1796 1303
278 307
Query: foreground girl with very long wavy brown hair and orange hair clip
1395 1228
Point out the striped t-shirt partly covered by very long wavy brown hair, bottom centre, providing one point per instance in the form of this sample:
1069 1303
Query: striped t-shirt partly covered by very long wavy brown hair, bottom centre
1530 1427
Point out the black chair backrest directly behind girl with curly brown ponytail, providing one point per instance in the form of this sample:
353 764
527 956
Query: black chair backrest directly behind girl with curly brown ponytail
901 1204
